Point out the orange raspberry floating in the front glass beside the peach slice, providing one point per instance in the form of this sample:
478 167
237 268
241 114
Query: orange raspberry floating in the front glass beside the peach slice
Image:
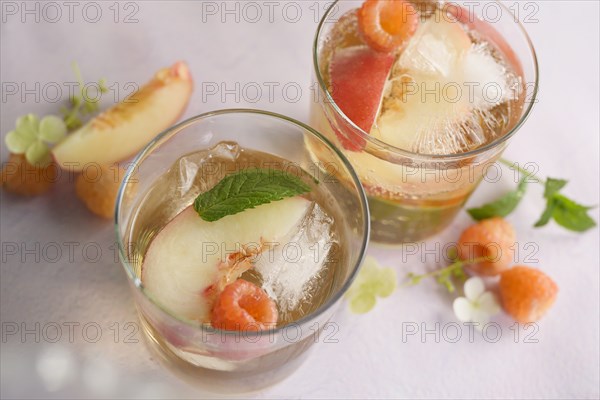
243 306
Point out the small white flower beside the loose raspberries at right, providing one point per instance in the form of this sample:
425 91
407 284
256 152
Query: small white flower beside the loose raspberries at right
477 306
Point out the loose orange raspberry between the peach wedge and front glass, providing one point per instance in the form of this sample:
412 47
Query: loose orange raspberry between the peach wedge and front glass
98 190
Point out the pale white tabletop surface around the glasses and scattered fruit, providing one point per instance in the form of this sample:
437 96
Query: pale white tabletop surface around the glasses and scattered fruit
370 359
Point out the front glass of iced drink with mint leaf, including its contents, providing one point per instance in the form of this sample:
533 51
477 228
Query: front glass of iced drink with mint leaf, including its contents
239 245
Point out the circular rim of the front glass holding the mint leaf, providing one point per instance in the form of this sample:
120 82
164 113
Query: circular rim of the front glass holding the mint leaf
148 149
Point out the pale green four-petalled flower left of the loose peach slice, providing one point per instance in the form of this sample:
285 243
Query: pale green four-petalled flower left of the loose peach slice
32 136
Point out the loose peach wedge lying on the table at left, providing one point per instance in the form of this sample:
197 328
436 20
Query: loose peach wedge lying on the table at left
126 128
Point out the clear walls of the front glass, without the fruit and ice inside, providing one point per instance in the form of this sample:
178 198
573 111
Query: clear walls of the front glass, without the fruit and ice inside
231 360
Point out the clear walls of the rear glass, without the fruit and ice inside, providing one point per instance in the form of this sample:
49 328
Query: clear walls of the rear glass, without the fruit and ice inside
413 196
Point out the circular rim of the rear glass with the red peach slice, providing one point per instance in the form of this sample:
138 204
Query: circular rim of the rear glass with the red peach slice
407 153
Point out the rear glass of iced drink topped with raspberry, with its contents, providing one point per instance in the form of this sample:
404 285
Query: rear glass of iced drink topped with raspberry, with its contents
421 96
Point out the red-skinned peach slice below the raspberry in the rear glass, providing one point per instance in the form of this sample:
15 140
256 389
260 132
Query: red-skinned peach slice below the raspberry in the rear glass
358 77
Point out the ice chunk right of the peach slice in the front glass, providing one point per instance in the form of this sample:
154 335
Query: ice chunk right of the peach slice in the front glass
291 271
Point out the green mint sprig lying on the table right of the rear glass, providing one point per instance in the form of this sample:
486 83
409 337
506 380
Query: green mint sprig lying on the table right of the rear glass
566 212
